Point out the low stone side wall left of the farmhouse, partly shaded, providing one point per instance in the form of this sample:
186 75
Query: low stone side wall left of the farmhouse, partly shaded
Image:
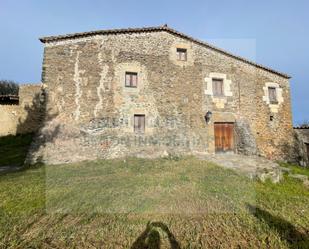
23 117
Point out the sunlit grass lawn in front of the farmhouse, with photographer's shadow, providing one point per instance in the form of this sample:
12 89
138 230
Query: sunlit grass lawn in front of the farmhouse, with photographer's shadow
186 203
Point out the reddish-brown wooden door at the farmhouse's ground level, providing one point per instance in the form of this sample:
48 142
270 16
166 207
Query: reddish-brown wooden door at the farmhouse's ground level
224 137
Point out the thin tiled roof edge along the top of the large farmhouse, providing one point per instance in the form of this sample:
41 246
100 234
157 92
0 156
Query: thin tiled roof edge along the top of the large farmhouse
164 28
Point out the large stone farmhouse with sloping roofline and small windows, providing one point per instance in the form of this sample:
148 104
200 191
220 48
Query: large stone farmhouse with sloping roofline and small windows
153 92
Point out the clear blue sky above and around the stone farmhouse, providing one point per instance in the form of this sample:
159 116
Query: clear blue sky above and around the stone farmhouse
274 33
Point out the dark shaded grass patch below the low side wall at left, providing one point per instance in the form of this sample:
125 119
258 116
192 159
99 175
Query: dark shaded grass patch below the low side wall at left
13 149
